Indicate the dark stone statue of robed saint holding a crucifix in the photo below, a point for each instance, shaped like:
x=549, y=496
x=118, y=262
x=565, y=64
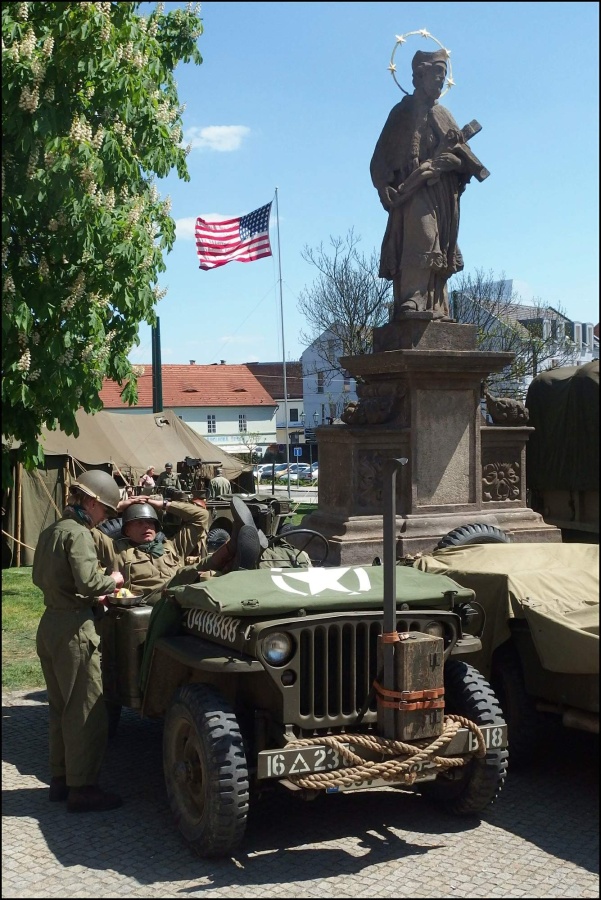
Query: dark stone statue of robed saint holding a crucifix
x=420, y=167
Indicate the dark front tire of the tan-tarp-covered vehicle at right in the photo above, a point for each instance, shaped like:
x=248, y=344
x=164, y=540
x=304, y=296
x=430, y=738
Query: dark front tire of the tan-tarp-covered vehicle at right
x=525, y=726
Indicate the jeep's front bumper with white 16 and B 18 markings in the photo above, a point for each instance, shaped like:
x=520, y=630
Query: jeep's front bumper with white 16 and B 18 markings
x=321, y=758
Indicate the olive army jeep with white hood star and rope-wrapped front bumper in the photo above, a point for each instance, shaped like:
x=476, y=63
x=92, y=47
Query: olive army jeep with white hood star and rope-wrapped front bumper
x=315, y=680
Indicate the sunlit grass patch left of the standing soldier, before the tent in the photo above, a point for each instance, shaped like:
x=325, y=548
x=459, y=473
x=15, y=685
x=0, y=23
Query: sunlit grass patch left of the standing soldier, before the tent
x=22, y=608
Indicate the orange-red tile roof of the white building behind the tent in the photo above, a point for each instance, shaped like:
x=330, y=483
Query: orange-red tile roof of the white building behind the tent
x=192, y=385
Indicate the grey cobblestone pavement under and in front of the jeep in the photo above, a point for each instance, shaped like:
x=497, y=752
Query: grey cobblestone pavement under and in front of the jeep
x=539, y=840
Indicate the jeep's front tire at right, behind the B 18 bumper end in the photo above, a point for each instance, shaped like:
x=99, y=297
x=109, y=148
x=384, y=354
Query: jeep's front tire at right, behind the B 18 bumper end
x=468, y=790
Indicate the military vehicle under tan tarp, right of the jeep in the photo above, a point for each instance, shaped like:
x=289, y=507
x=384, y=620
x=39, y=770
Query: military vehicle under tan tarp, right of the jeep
x=540, y=630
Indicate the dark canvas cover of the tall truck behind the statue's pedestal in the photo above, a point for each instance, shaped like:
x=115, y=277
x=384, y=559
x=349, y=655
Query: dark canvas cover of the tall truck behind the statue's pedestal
x=563, y=452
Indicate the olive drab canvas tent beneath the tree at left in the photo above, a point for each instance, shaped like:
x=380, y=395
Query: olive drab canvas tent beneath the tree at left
x=129, y=442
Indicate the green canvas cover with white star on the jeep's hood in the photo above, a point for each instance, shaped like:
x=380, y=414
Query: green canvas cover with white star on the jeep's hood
x=268, y=592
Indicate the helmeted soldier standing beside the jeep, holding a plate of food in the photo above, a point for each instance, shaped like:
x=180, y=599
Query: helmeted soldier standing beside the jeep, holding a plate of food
x=66, y=569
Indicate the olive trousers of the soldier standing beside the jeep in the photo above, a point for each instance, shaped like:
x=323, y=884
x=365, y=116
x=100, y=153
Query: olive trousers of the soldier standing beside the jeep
x=68, y=646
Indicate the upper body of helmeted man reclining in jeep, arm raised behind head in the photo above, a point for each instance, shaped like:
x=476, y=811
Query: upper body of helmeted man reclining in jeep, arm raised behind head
x=145, y=557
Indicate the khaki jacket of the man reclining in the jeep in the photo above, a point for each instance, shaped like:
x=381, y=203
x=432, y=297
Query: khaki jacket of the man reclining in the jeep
x=141, y=570
